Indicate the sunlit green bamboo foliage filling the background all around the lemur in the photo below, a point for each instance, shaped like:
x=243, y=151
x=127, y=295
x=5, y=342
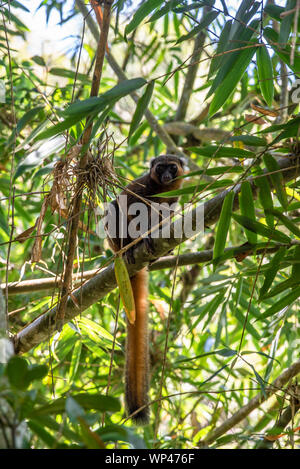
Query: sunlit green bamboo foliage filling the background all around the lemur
x=233, y=324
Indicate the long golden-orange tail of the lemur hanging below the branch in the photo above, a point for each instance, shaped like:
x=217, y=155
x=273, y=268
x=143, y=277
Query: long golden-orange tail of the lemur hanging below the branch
x=137, y=352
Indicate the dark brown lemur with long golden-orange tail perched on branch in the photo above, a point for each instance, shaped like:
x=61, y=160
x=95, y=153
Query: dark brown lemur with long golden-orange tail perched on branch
x=164, y=171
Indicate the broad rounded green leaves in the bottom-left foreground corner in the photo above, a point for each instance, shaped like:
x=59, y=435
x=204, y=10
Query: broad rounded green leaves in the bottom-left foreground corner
x=79, y=410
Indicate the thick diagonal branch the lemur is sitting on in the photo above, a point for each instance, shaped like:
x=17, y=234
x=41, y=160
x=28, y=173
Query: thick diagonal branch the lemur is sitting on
x=95, y=289
